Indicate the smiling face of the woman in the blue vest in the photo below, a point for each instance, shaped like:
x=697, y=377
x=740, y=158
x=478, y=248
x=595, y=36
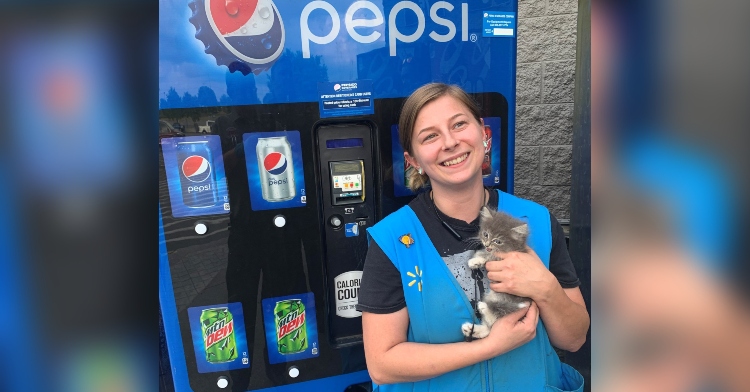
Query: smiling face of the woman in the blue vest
x=447, y=143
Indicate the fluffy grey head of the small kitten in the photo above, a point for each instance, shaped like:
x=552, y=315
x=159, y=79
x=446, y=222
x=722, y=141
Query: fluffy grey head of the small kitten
x=500, y=232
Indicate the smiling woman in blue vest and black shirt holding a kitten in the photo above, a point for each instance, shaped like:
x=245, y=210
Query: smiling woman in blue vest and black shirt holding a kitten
x=414, y=303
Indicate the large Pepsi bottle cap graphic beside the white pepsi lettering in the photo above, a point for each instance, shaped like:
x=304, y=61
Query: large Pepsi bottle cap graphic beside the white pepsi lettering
x=245, y=35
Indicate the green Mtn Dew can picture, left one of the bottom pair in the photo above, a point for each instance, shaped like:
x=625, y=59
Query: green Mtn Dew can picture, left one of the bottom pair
x=218, y=335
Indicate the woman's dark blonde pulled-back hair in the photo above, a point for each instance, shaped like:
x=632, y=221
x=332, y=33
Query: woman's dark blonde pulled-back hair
x=409, y=112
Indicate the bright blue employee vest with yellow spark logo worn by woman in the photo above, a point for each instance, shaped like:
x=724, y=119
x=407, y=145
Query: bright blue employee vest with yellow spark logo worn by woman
x=437, y=307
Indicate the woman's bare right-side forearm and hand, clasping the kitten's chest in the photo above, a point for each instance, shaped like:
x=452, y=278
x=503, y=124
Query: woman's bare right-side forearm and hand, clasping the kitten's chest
x=562, y=310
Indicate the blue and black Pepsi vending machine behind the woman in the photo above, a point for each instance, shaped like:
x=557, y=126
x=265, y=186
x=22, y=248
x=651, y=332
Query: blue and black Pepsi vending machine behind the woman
x=263, y=213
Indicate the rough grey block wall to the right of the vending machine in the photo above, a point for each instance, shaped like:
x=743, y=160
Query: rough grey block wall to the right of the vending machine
x=544, y=102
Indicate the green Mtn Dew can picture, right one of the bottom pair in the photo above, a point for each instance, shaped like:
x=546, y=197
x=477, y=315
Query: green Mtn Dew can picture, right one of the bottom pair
x=291, y=326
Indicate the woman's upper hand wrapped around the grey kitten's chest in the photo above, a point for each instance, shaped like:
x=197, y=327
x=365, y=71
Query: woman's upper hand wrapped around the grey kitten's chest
x=521, y=274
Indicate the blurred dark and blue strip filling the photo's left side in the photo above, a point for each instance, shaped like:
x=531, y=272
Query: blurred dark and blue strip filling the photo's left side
x=78, y=103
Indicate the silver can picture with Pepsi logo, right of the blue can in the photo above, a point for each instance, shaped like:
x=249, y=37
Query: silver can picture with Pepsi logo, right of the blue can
x=275, y=168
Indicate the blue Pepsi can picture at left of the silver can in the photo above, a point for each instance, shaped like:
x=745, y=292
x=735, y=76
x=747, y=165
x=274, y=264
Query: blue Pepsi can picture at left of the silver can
x=197, y=178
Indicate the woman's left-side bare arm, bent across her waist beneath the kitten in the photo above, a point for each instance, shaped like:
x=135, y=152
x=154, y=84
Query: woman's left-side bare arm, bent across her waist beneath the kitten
x=391, y=359
